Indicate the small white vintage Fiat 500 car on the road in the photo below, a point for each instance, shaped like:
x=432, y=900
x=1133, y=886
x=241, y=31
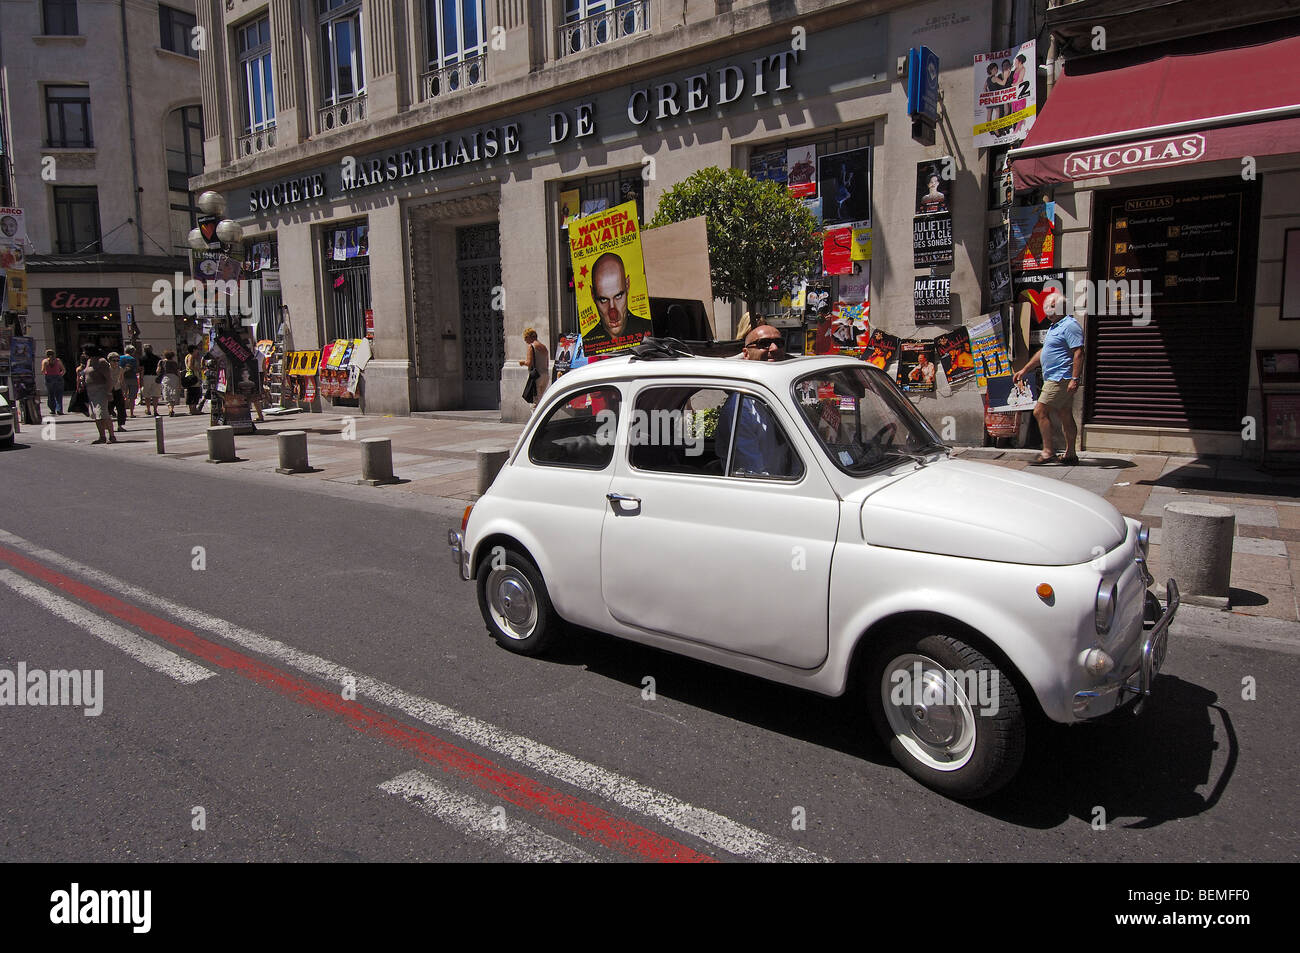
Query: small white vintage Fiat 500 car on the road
x=801, y=522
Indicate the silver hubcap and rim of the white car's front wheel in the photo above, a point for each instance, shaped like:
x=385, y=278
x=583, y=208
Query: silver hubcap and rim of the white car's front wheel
x=929, y=712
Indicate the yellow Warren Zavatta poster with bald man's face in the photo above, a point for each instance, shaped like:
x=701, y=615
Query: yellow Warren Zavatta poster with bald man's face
x=610, y=281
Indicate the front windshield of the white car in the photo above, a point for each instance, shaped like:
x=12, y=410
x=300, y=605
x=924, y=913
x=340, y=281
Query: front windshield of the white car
x=861, y=421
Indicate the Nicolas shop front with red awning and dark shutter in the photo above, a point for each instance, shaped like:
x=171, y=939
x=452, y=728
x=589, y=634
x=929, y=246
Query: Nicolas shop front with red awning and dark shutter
x=1177, y=205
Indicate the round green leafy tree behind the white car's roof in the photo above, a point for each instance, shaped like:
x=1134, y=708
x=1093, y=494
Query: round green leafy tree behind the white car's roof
x=760, y=236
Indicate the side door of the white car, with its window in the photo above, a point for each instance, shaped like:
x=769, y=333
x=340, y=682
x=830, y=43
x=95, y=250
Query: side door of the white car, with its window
x=708, y=551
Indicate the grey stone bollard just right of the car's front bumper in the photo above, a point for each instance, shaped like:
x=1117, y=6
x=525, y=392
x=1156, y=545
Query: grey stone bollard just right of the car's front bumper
x=1197, y=540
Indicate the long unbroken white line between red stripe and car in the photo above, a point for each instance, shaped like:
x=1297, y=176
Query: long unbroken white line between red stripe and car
x=700, y=822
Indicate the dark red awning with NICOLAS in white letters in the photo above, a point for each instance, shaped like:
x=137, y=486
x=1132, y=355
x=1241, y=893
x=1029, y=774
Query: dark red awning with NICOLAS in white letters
x=1175, y=110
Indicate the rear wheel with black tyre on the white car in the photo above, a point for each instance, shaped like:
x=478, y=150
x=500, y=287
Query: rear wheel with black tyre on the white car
x=515, y=604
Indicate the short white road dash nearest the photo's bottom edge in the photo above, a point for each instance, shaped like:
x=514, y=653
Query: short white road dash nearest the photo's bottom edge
x=475, y=818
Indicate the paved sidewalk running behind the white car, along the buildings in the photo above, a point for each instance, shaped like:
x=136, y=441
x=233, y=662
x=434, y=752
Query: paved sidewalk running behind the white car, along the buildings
x=435, y=458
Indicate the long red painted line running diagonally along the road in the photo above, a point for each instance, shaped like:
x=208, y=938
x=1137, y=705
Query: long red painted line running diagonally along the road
x=579, y=817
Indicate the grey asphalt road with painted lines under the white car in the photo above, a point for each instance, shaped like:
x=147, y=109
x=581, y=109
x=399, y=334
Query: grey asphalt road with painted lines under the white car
x=453, y=750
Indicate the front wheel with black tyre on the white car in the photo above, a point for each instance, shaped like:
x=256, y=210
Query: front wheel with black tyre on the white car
x=951, y=717
